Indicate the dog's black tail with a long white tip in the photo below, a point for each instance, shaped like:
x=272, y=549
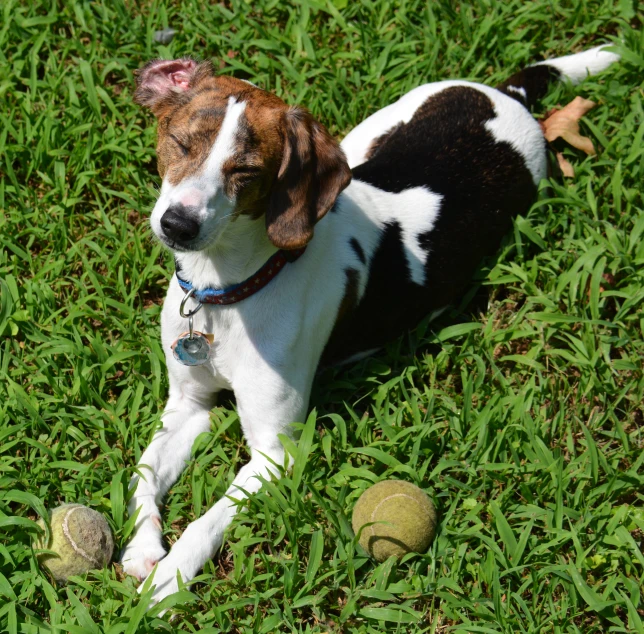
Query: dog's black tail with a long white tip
x=531, y=84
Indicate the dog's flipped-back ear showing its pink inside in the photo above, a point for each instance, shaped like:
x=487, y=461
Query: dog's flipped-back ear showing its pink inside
x=160, y=81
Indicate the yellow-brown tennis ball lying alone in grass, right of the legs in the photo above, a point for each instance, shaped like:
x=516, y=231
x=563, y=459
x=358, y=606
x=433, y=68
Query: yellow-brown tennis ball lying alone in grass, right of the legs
x=405, y=516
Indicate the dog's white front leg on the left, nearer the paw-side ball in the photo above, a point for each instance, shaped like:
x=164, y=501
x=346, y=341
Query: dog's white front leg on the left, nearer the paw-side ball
x=184, y=418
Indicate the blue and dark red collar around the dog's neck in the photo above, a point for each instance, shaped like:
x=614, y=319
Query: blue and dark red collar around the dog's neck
x=248, y=287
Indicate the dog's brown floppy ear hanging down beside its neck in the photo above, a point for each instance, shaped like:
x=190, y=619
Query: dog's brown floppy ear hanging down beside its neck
x=312, y=174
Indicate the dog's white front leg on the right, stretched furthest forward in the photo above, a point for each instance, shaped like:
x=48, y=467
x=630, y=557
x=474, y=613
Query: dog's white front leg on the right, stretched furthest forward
x=266, y=409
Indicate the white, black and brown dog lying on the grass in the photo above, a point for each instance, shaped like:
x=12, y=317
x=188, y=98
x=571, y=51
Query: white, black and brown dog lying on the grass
x=294, y=251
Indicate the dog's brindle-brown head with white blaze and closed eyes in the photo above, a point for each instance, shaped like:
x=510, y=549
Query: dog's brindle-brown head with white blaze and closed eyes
x=226, y=148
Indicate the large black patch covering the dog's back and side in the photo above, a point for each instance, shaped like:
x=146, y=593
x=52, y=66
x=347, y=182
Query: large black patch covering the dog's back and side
x=446, y=148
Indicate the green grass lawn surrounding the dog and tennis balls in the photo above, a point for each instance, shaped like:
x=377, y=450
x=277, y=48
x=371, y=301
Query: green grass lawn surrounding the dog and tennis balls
x=522, y=420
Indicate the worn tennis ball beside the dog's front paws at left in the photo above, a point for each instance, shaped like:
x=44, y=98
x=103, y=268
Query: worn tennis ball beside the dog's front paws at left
x=81, y=539
